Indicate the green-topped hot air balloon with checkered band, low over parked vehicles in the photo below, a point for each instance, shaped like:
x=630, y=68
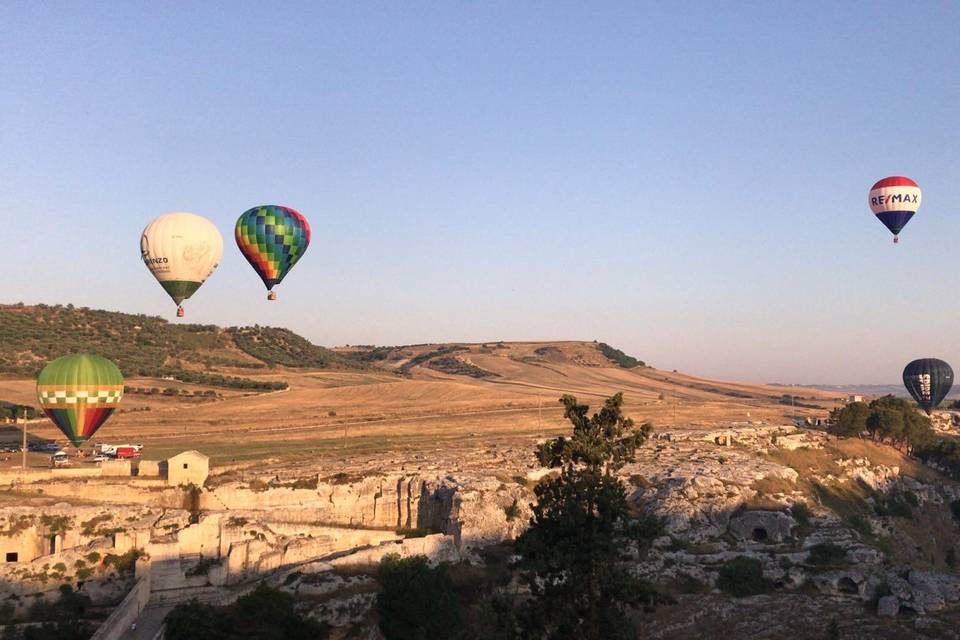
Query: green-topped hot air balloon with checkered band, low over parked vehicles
x=79, y=392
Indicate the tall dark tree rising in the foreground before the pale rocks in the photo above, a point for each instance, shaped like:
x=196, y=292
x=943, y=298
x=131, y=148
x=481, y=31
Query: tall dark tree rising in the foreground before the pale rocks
x=573, y=551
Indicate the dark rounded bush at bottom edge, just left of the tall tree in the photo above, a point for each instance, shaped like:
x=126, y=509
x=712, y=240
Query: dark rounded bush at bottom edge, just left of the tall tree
x=417, y=601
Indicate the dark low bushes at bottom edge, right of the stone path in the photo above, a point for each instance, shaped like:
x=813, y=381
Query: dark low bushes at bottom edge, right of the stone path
x=263, y=614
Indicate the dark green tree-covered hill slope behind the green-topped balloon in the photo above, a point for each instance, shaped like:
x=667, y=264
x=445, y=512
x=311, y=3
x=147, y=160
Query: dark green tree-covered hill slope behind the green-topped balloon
x=31, y=336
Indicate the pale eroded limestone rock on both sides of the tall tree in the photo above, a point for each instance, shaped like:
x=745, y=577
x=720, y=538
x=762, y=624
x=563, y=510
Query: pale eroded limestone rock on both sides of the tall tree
x=707, y=494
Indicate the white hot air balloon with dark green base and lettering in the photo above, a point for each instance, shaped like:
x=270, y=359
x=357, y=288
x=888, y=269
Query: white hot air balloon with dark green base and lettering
x=181, y=250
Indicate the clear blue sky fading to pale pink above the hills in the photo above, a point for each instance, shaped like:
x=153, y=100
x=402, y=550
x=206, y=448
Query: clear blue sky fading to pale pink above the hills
x=684, y=181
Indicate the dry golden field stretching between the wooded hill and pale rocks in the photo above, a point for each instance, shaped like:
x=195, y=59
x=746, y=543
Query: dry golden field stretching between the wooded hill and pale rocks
x=341, y=412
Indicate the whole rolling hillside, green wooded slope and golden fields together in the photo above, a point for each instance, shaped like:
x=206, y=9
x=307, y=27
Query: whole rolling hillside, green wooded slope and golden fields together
x=255, y=392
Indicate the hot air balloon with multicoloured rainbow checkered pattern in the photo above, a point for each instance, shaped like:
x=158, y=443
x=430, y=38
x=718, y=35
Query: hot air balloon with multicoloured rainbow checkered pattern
x=272, y=239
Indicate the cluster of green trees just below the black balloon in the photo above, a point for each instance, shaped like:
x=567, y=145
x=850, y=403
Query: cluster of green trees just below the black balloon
x=887, y=419
